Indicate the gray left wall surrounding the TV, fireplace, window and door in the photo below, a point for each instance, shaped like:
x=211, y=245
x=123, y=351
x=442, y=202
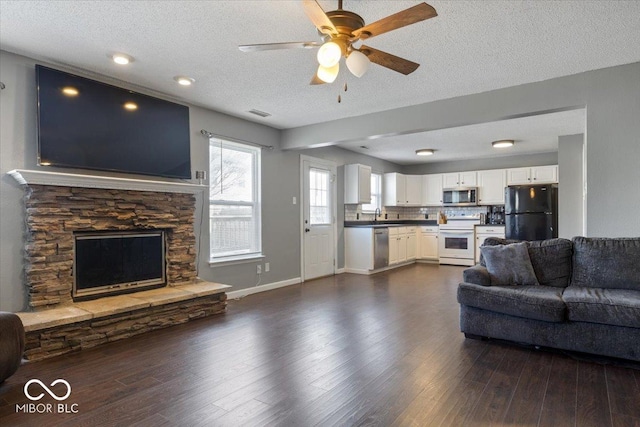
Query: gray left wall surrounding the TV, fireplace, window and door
x=280, y=183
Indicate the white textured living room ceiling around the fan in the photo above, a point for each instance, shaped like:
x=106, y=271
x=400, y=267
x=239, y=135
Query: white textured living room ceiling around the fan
x=471, y=47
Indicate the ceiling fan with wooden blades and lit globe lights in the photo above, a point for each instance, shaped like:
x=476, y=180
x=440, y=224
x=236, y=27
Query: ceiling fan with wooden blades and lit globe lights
x=340, y=29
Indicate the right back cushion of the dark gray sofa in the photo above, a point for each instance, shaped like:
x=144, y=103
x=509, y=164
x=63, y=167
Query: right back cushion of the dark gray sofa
x=612, y=263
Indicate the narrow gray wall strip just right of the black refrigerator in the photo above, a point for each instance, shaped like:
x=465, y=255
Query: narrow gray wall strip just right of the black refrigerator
x=571, y=185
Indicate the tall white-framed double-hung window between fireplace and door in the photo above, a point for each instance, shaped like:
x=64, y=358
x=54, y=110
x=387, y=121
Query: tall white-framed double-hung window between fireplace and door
x=234, y=200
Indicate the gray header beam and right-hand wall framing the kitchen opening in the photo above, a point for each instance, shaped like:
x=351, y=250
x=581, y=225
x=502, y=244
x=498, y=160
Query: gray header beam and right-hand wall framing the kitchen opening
x=612, y=98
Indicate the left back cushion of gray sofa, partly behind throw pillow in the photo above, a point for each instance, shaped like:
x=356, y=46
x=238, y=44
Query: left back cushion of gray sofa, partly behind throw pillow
x=551, y=259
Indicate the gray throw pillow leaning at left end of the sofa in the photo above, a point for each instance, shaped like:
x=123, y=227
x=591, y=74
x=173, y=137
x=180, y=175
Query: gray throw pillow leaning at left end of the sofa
x=509, y=264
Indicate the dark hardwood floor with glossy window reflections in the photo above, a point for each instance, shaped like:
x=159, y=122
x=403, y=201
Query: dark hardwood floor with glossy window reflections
x=346, y=350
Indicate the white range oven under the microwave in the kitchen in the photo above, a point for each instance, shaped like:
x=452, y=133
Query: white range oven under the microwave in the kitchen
x=456, y=241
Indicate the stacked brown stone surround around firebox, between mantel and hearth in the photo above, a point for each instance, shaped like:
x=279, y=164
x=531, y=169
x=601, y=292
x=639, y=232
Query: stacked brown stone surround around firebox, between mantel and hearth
x=54, y=213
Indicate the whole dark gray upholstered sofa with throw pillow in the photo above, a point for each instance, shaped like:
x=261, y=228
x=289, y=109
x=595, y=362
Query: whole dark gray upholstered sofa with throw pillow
x=585, y=295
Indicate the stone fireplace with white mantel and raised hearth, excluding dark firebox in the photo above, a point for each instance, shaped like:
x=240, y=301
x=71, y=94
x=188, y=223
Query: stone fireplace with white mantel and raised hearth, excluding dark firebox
x=59, y=208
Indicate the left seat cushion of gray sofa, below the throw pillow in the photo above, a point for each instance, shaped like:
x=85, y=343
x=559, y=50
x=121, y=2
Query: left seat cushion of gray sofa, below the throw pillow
x=531, y=302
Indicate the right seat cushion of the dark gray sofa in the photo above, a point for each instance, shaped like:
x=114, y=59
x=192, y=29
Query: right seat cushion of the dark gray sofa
x=619, y=307
